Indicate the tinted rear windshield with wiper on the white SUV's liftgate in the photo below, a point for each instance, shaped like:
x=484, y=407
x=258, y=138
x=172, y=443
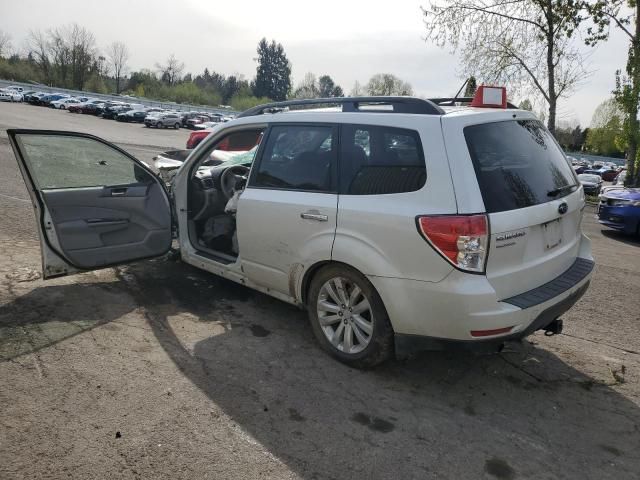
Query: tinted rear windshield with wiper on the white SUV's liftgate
x=518, y=164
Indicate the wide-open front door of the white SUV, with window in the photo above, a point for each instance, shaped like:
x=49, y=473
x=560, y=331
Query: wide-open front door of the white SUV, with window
x=96, y=205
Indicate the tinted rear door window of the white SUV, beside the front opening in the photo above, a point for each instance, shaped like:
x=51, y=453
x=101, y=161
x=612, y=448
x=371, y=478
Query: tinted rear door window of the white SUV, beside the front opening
x=298, y=157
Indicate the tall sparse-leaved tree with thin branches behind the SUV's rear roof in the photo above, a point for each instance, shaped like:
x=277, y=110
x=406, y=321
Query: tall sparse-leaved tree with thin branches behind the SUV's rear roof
x=526, y=43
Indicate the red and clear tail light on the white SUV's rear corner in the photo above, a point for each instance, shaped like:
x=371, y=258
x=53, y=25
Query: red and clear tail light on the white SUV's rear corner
x=460, y=239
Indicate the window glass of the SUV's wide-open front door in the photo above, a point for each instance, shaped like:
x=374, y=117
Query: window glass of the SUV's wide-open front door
x=60, y=161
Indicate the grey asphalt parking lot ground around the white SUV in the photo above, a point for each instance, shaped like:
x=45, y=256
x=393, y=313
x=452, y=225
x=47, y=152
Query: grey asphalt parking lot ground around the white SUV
x=159, y=370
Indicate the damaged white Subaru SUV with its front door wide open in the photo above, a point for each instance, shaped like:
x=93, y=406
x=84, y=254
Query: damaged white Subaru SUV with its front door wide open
x=399, y=223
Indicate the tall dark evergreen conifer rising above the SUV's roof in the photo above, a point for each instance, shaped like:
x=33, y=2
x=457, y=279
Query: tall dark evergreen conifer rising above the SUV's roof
x=273, y=73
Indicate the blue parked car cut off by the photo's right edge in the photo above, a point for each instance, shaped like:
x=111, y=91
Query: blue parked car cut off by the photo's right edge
x=620, y=209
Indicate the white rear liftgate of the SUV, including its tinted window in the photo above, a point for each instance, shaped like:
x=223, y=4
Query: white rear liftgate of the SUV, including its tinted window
x=512, y=169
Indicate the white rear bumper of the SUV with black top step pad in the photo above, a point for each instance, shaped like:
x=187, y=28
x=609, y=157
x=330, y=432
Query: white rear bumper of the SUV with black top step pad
x=434, y=315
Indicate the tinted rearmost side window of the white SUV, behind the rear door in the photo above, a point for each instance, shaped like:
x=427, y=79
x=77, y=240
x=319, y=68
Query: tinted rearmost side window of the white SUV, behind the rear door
x=380, y=160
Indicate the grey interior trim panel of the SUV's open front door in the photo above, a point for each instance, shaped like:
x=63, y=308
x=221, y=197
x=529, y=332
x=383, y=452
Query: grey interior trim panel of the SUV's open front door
x=106, y=225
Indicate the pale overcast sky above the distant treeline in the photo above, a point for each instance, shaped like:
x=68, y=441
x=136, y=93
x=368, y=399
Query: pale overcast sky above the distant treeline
x=349, y=40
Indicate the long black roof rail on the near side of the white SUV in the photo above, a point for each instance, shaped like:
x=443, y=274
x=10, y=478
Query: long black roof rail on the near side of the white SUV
x=353, y=104
